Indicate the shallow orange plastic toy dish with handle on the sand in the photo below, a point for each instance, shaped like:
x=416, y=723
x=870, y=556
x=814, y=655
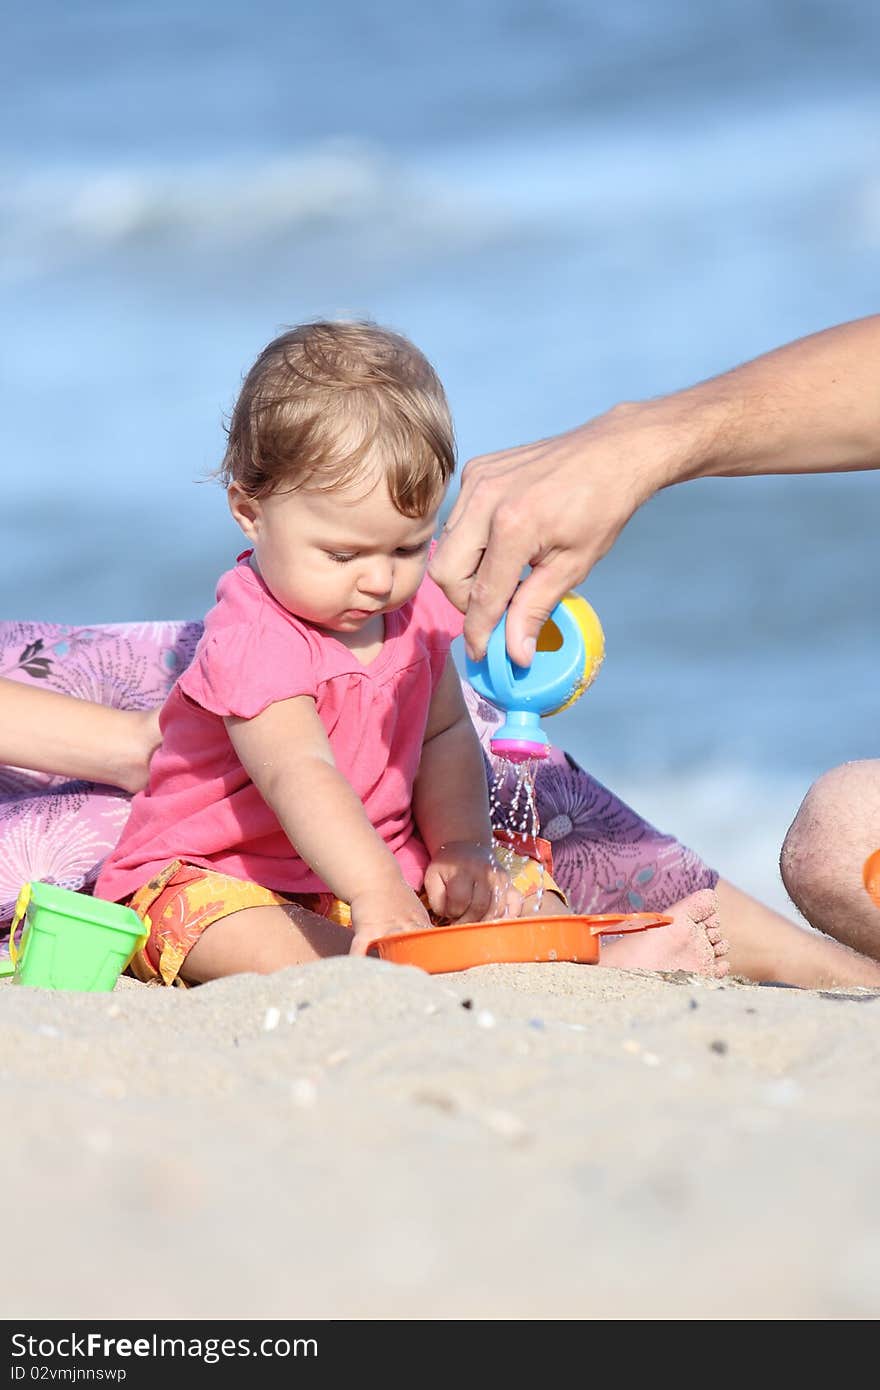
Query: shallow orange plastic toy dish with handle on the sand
x=511, y=942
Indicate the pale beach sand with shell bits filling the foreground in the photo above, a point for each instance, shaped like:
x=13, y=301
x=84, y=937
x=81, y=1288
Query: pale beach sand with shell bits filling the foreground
x=357, y=1139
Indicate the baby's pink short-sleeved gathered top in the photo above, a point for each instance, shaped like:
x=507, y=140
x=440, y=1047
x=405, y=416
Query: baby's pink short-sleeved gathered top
x=202, y=806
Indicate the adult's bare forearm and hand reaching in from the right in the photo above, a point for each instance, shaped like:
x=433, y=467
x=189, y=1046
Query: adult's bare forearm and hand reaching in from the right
x=558, y=505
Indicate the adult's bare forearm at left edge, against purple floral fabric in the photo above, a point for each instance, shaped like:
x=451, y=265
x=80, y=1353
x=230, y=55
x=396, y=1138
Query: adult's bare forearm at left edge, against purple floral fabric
x=54, y=733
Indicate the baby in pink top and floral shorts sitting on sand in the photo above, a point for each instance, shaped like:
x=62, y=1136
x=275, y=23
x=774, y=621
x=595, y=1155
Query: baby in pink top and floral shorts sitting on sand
x=320, y=783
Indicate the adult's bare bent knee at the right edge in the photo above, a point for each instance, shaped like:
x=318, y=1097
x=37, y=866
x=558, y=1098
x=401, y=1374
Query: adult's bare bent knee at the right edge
x=835, y=831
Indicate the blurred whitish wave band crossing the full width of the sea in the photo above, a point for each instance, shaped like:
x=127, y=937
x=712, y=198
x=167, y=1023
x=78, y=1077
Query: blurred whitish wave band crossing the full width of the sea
x=585, y=179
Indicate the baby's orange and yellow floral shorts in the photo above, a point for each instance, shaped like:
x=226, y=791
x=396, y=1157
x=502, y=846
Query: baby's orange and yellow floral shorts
x=183, y=900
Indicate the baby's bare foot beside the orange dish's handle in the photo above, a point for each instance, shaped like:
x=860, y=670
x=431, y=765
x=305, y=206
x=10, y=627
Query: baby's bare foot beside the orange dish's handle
x=692, y=942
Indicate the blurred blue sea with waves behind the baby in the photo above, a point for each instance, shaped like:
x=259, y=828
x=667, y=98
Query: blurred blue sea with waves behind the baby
x=565, y=204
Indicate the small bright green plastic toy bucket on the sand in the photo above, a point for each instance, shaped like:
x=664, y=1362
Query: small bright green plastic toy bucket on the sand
x=72, y=942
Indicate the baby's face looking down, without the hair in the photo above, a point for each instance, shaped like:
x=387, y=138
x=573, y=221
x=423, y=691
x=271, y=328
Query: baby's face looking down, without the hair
x=337, y=558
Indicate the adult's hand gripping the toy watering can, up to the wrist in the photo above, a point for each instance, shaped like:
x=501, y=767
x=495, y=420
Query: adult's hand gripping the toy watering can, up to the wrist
x=558, y=507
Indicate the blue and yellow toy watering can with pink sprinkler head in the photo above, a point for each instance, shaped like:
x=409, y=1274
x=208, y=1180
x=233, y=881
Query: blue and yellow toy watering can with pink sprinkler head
x=569, y=654
